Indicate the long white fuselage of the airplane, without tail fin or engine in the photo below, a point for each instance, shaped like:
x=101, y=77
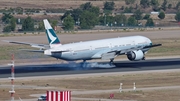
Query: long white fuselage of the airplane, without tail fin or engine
x=94, y=49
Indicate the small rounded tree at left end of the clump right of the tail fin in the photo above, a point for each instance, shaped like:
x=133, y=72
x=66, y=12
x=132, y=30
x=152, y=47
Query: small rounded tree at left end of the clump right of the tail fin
x=68, y=23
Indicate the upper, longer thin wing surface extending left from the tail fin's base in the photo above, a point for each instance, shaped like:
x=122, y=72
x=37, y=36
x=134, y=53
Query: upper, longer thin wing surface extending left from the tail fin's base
x=40, y=46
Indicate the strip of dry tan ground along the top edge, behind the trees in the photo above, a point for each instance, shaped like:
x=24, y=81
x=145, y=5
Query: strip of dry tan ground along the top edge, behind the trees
x=65, y=3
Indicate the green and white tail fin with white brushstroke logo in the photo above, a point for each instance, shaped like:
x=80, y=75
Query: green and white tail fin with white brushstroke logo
x=51, y=35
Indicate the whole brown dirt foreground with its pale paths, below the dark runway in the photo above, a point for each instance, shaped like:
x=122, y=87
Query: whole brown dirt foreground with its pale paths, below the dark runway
x=151, y=86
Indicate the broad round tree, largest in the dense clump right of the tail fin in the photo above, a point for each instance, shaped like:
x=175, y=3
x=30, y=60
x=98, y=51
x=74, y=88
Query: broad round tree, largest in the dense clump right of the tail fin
x=88, y=20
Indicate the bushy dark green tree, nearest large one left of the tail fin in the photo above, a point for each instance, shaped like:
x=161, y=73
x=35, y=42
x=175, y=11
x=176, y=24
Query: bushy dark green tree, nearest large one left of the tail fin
x=28, y=24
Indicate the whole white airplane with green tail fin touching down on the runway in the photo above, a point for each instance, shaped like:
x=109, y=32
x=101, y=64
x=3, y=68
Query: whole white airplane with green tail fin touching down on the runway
x=135, y=47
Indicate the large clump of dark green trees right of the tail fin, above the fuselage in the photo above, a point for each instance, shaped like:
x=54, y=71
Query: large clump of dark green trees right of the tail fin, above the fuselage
x=87, y=16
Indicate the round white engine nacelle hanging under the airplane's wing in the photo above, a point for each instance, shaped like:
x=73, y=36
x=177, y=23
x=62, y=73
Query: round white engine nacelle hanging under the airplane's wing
x=135, y=55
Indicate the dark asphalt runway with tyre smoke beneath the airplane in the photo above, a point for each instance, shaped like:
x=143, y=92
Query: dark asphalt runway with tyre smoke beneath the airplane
x=75, y=68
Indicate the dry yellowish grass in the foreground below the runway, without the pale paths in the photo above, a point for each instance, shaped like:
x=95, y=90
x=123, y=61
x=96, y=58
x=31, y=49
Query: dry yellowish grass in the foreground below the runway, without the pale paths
x=105, y=82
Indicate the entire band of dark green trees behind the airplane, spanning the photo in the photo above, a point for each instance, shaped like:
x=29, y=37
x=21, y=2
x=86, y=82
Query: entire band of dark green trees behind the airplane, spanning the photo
x=86, y=16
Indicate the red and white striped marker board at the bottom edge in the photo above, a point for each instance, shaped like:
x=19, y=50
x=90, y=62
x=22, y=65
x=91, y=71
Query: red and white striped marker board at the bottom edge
x=58, y=95
